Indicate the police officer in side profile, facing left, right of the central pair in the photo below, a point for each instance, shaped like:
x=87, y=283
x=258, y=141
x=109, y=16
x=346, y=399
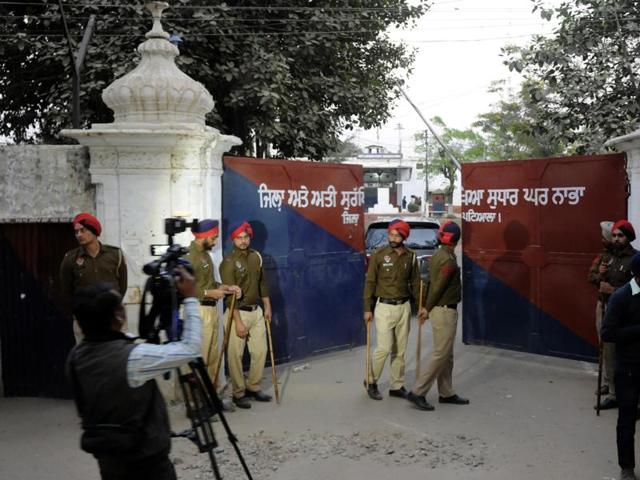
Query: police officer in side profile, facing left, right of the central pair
x=444, y=293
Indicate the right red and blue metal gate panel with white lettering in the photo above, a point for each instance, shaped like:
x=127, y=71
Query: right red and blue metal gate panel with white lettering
x=530, y=232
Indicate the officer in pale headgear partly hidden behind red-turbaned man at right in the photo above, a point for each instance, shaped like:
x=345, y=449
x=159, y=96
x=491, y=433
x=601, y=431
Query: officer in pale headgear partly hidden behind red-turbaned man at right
x=597, y=274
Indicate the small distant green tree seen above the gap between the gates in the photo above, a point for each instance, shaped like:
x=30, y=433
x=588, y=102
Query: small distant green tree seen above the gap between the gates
x=466, y=145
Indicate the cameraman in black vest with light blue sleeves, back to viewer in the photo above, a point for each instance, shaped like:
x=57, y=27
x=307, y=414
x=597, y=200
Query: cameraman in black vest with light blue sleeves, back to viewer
x=124, y=417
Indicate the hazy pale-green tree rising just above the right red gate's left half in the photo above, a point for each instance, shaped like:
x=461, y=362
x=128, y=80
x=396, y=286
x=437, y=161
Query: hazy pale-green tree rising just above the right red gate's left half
x=511, y=129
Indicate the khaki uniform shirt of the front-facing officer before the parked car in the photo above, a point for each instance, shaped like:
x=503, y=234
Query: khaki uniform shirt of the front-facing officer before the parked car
x=392, y=276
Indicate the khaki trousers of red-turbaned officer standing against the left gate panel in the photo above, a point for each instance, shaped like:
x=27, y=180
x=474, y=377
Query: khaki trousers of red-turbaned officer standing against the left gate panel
x=257, y=343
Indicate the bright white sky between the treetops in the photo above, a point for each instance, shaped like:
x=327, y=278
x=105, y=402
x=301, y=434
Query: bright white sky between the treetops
x=458, y=46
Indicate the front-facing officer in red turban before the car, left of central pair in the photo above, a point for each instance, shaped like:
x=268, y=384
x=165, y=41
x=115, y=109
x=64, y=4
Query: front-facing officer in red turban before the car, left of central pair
x=393, y=277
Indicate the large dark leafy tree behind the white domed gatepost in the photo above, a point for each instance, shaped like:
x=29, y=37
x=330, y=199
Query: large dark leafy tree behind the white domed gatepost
x=293, y=76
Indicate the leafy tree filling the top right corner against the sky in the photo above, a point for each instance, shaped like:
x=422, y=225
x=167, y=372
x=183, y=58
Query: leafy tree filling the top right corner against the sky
x=583, y=78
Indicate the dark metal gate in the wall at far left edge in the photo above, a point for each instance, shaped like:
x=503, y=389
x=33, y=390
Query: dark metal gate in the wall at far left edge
x=35, y=336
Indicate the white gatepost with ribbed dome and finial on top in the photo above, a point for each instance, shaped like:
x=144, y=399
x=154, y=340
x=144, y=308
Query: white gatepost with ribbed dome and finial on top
x=157, y=158
